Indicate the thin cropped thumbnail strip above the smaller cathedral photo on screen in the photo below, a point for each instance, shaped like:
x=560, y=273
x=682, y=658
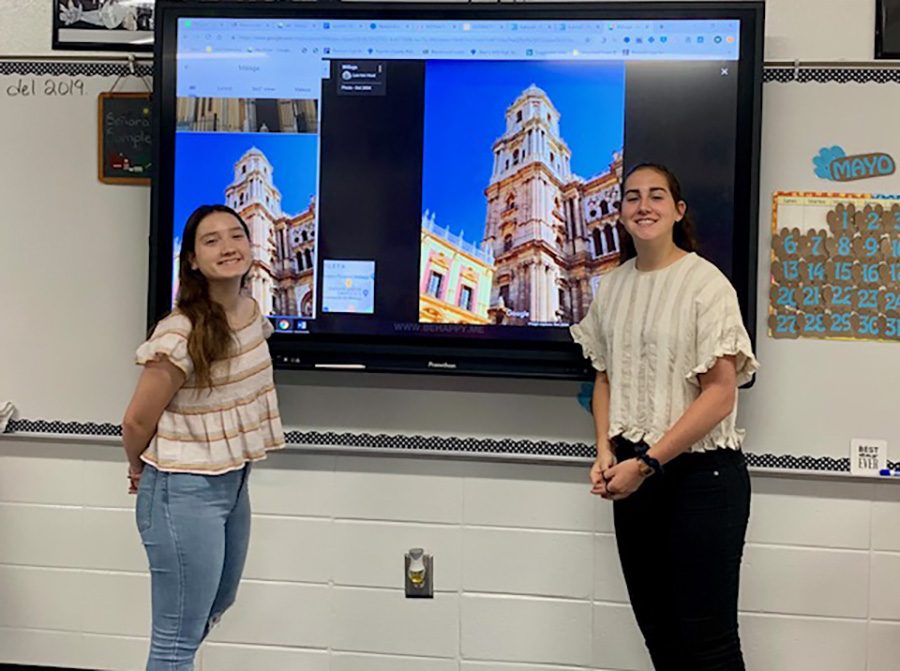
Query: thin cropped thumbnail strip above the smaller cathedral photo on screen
x=247, y=115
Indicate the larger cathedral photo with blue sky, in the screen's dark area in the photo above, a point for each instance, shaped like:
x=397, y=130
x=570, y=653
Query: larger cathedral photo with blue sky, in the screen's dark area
x=529, y=244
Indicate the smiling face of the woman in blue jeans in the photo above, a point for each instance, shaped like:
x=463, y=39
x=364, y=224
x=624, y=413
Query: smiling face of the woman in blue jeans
x=221, y=248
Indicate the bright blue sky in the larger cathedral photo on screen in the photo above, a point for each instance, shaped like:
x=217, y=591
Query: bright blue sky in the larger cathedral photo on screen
x=465, y=113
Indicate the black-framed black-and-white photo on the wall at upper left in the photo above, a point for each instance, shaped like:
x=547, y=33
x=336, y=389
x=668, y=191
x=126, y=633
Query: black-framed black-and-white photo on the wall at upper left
x=103, y=25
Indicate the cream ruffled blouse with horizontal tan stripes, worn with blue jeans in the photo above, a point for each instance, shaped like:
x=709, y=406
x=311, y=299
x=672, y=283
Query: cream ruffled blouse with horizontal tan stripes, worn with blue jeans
x=213, y=431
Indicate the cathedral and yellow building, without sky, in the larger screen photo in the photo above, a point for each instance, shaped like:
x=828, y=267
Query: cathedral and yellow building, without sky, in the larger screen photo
x=548, y=236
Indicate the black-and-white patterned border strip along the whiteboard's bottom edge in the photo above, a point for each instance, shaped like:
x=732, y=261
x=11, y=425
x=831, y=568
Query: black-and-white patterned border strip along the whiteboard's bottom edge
x=437, y=445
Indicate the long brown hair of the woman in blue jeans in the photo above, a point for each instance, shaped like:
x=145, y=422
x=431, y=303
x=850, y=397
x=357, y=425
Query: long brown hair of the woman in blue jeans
x=211, y=336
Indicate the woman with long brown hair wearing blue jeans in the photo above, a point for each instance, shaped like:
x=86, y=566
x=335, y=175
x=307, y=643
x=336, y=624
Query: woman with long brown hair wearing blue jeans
x=203, y=410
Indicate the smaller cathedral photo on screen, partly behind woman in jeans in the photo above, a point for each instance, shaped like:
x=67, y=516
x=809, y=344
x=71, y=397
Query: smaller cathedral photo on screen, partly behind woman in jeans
x=270, y=180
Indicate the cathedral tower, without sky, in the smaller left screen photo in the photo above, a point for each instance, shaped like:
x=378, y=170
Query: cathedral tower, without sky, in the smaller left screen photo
x=282, y=276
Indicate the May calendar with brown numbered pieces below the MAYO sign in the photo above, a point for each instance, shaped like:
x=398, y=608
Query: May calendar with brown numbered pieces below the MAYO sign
x=835, y=267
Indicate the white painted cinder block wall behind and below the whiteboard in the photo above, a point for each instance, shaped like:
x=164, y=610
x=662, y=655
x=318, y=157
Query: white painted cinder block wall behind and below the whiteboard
x=526, y=573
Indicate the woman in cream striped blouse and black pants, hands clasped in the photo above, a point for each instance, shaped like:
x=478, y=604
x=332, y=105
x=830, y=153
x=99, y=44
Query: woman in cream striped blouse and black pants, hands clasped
x=666, y=338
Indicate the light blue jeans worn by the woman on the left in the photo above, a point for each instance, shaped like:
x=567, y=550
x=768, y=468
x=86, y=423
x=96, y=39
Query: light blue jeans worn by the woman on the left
x=195, y=529
